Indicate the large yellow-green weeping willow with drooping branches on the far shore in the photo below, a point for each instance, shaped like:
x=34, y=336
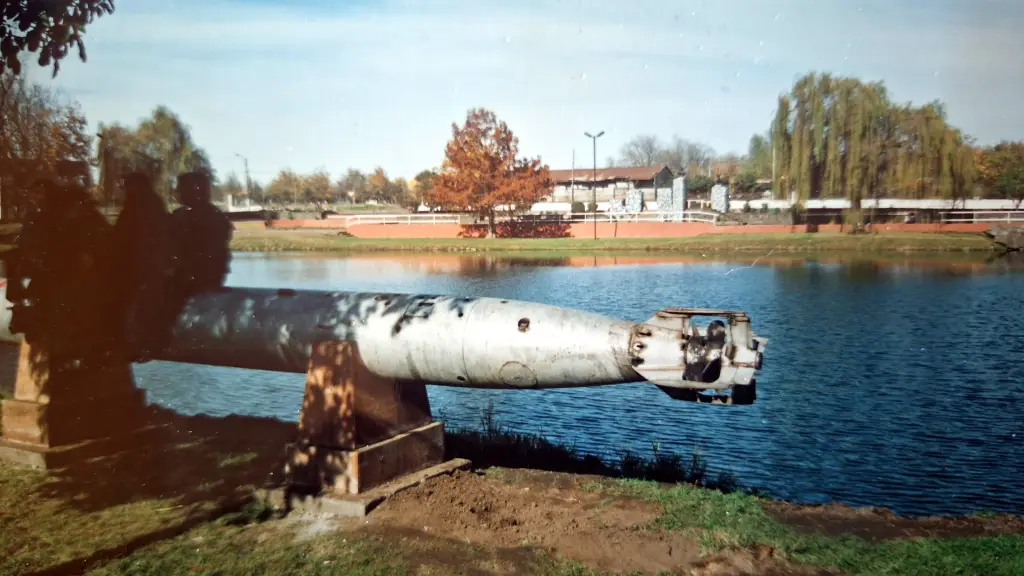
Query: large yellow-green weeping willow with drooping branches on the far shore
x=841, y=138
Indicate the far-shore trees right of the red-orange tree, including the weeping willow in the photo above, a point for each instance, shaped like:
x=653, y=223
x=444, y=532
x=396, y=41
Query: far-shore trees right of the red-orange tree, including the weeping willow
x=842, y=138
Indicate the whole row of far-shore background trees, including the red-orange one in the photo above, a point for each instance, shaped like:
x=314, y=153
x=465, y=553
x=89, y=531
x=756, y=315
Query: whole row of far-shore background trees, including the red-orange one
x=831, y=138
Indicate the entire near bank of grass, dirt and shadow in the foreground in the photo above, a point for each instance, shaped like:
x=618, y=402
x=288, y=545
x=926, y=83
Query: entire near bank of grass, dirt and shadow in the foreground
x=175, y=506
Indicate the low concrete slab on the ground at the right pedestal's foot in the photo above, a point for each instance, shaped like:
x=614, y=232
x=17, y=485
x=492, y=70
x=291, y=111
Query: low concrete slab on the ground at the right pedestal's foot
x=354, y=506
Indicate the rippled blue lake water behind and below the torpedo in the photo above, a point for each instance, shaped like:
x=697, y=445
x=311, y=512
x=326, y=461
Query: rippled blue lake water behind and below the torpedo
x=890, y=385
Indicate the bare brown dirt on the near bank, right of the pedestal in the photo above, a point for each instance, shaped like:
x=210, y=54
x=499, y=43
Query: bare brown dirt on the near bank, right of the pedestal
x=472, y=523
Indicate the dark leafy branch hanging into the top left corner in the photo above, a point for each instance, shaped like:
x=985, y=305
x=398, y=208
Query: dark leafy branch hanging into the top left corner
x=51, y=28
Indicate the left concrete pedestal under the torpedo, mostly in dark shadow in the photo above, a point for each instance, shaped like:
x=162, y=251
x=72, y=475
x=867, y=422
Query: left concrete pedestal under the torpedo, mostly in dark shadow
x=55, y=415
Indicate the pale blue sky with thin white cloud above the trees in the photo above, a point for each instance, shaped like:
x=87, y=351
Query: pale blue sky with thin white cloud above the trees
x=338, y=85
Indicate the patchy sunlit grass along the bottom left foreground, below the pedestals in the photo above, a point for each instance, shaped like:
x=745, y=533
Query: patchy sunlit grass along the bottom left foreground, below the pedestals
x=42, y=534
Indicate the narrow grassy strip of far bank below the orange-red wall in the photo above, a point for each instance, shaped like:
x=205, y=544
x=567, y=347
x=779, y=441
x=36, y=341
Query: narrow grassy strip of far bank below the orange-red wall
x=306, y=241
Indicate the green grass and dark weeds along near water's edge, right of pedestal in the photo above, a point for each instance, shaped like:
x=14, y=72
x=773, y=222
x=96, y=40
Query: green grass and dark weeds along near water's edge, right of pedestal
x=723, y=517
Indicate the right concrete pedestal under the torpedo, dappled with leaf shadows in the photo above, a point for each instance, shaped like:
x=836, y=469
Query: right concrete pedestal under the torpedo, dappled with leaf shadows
x=360, y=432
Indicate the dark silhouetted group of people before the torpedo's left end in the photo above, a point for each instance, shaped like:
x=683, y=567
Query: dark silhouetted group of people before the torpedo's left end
x=72, y=273
